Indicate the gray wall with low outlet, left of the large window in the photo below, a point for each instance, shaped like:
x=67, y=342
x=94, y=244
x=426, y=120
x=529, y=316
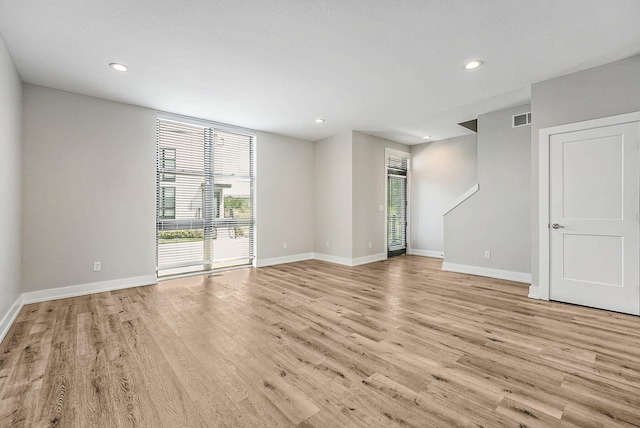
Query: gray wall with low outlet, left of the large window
x=89, y=189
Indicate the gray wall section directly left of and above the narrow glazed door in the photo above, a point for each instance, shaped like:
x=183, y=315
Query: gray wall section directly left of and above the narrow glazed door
x=369, y=182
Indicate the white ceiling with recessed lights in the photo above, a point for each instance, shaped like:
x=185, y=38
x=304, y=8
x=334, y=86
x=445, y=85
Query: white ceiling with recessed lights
x=392, y=68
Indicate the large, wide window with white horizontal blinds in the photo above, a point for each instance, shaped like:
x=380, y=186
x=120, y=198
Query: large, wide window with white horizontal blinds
x=204, y=198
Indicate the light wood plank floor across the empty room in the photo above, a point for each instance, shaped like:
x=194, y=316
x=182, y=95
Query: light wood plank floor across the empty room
x=312, y=344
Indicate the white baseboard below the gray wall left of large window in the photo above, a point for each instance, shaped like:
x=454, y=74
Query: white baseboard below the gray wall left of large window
x=91, y=288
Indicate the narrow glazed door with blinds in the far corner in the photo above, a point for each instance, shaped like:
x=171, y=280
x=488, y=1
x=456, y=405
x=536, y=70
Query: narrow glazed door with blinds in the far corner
x=397, y=169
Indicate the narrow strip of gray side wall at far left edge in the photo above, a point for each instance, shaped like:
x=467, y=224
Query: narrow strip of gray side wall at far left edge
x=10, y=180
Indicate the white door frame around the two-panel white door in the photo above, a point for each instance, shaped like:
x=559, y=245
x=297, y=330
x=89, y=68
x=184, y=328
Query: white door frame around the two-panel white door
x=544, y=249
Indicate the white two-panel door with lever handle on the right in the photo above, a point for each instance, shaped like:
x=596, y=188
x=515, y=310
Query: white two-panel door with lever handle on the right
x=594, y=217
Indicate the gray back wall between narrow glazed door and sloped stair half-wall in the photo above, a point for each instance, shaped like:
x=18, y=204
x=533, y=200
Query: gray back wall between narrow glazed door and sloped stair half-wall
x=441, y=171
